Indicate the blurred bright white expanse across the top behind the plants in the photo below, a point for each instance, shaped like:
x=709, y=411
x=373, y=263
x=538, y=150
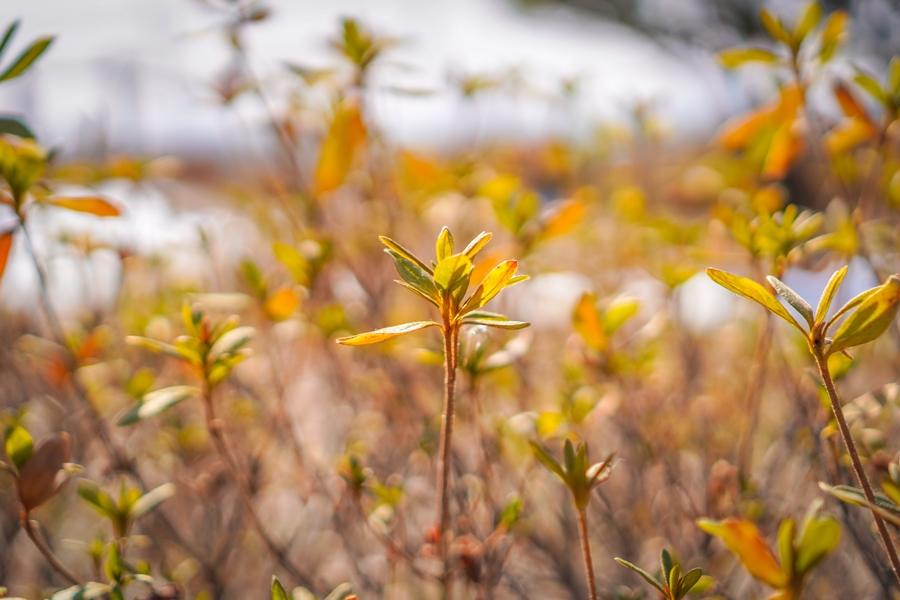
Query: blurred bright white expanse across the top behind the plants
x=137, y=73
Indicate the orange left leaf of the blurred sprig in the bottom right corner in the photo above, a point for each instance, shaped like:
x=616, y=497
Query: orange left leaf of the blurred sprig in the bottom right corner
x=745, y=540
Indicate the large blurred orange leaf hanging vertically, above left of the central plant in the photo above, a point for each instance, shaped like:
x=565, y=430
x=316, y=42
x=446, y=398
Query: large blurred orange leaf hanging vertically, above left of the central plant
x=345, y=136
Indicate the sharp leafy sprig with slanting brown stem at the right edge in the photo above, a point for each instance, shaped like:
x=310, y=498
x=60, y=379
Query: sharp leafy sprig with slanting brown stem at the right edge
x=862, y=320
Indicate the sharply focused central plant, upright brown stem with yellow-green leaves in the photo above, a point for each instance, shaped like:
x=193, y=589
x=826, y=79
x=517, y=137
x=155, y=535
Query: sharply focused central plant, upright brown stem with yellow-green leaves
x=444, y=285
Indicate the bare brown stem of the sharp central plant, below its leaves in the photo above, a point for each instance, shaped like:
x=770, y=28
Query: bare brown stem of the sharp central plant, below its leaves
x=451, y=357
